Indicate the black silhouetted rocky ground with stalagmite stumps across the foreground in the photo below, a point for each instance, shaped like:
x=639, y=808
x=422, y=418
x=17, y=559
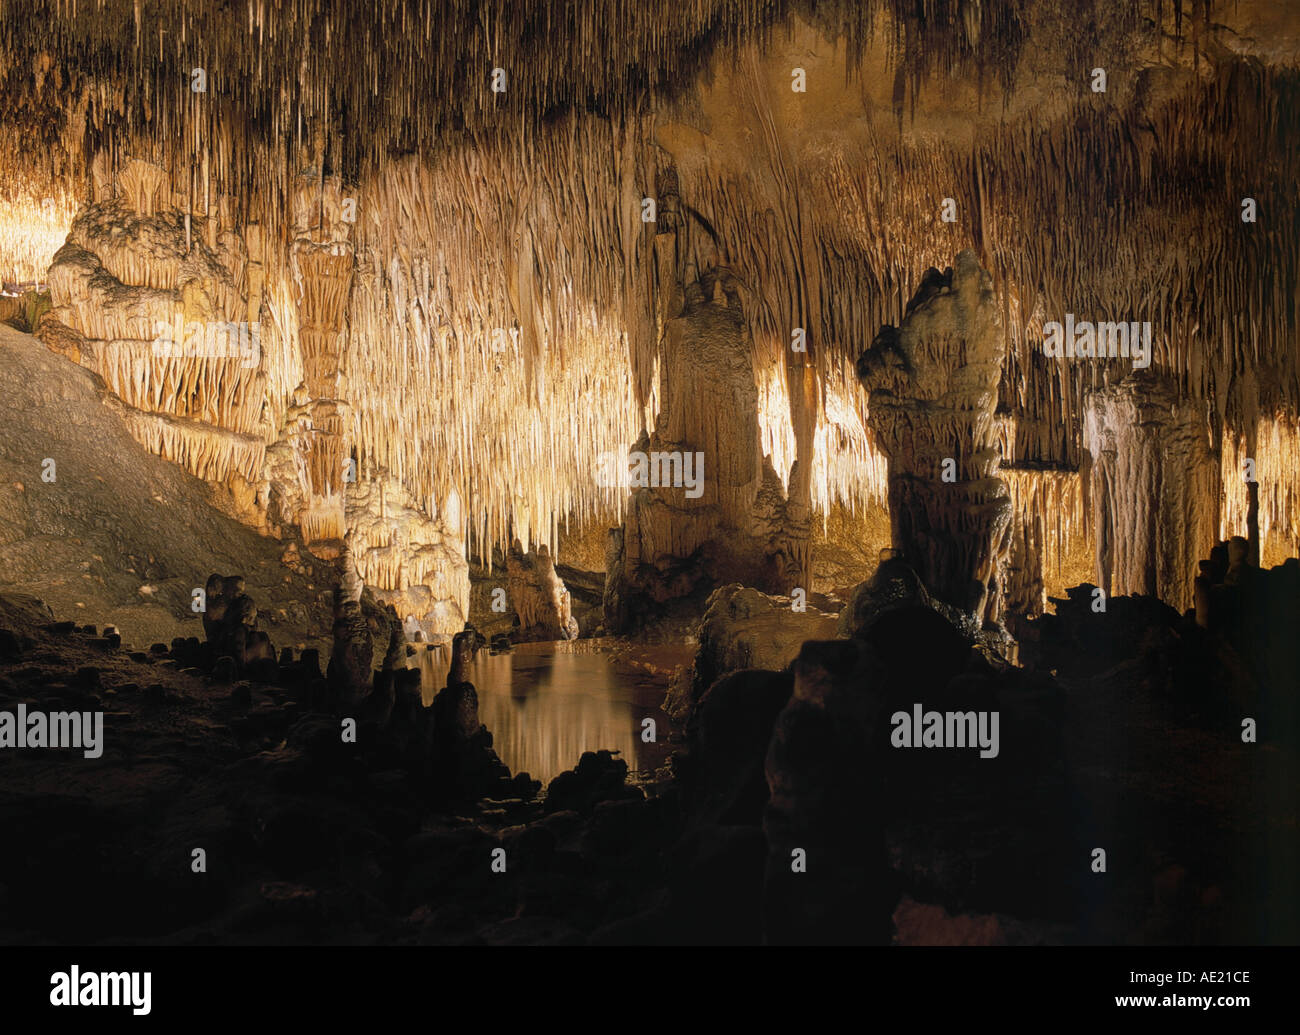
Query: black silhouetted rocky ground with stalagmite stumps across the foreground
x=792, y=819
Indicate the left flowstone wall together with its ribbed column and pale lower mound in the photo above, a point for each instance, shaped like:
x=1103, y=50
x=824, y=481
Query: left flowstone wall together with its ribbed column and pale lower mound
x=246, y=391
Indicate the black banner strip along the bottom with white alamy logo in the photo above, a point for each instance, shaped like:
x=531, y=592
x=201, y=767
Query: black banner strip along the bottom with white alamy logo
x=80, y=986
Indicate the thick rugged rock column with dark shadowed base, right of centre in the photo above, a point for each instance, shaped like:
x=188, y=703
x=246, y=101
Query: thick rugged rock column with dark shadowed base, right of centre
x=933, y=388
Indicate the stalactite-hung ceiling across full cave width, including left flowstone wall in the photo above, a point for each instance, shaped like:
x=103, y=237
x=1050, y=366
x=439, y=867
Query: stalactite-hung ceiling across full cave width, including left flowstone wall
x=502, y=300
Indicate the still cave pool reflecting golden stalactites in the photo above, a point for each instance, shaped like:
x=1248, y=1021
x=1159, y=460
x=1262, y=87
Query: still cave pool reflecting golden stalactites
x=545, y=708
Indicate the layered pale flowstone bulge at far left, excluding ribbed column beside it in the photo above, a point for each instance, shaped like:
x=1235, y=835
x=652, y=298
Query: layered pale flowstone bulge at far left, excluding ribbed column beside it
x=164, y=309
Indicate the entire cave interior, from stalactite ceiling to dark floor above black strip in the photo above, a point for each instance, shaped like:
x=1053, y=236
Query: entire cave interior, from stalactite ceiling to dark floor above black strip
x=380, y=378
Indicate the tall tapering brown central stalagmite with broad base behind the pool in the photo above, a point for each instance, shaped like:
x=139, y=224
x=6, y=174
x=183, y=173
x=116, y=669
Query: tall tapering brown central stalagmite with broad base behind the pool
x=708, y=508
